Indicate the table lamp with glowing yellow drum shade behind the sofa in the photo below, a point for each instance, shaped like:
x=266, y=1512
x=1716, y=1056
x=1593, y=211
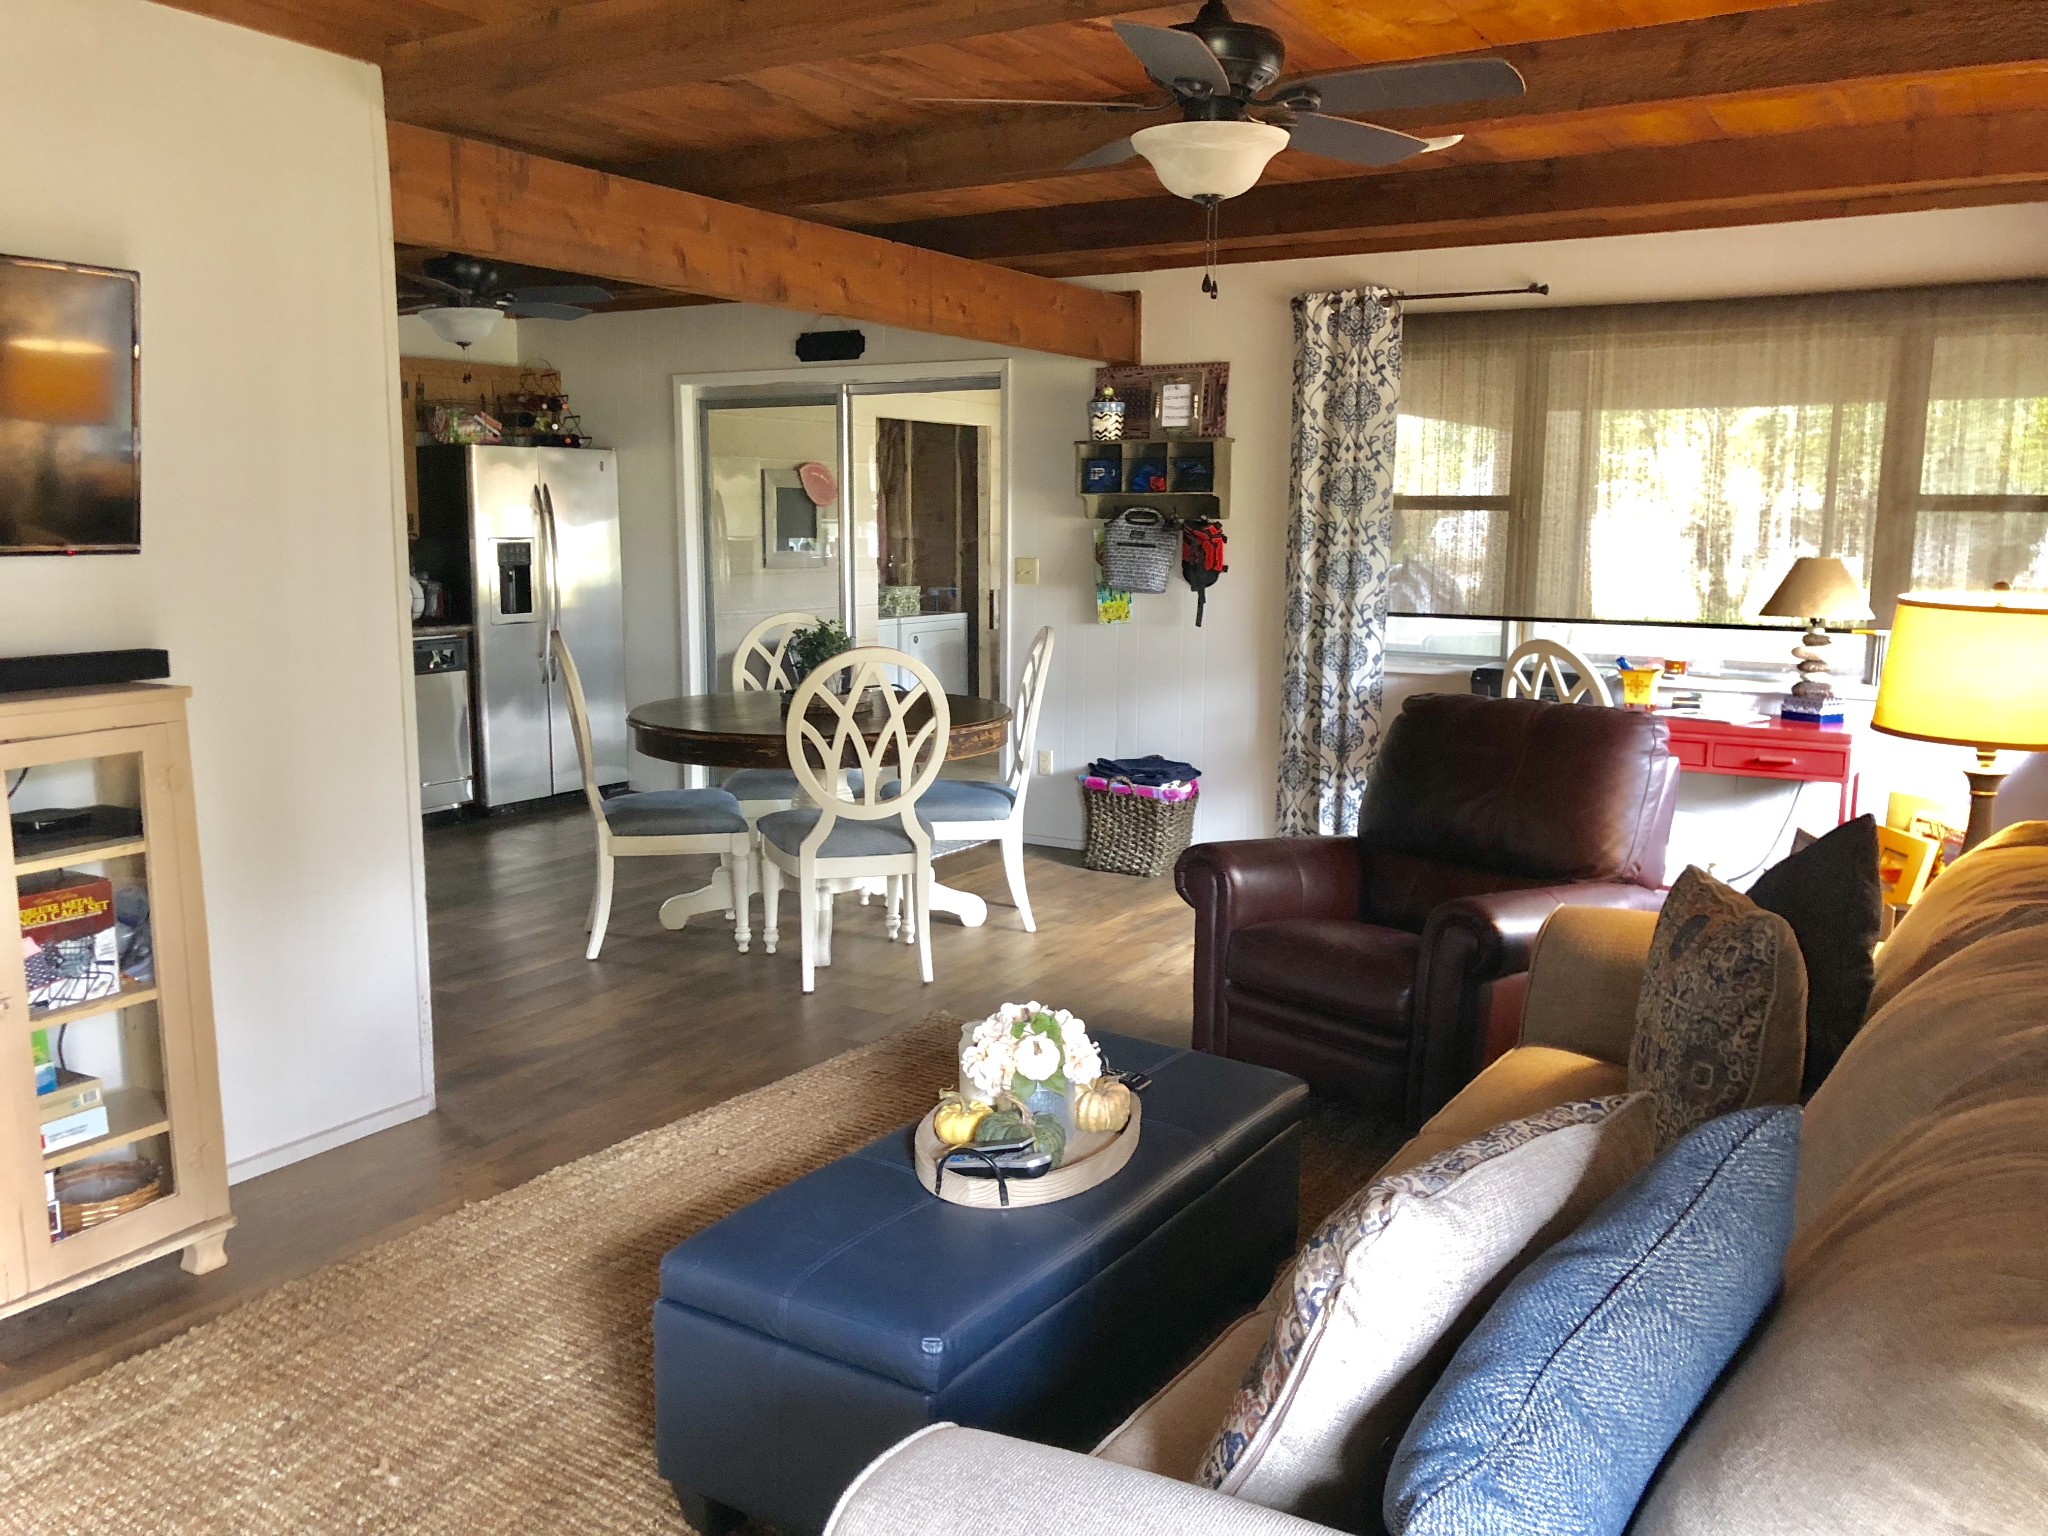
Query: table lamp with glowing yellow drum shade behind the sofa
x=1967, y=669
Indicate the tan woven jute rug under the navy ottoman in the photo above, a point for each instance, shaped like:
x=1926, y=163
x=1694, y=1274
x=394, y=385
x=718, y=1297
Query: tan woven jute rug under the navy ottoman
x=486, y=1373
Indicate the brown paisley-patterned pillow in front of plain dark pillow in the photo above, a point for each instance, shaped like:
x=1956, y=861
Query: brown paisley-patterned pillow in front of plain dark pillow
x=1721, y=1021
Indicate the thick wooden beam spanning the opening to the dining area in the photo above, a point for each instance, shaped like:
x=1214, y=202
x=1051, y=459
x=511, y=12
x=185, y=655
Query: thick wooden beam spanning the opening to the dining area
x=499, y=204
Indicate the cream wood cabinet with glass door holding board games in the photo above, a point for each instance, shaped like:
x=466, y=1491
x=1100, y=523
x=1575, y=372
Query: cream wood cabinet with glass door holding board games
x=140, y=1052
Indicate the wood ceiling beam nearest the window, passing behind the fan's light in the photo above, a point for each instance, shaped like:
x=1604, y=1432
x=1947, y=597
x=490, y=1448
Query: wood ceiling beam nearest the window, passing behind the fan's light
x=1727, y=181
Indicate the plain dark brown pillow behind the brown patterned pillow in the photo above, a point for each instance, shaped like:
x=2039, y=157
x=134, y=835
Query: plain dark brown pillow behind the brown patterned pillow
x=1832, y=896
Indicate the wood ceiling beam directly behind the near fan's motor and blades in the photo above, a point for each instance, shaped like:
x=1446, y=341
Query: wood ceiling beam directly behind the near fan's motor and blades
x=1811, y=46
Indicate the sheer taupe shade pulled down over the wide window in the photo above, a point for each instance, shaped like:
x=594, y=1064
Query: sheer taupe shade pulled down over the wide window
x=1666, y=464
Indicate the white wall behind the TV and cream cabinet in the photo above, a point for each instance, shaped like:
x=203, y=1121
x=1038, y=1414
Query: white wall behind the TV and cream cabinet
x=247, y=181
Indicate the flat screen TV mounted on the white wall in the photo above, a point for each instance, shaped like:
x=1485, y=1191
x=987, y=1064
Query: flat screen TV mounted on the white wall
x=71, y=454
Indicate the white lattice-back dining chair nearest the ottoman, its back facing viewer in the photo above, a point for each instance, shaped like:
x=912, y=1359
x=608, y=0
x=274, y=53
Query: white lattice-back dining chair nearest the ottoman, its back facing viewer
x=855, y=830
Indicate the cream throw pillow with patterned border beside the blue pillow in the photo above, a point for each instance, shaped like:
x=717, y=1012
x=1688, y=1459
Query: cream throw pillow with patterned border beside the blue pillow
x=1388, y=1287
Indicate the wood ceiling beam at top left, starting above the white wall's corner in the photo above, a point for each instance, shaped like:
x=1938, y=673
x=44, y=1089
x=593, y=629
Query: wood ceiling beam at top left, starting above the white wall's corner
x=605, y=48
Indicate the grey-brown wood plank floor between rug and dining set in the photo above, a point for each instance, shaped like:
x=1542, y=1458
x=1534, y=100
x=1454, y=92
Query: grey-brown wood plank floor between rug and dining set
x=544, y=1056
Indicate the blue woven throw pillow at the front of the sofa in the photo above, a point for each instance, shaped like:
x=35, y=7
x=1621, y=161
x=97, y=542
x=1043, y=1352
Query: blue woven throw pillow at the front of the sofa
x=1562, y=1404
